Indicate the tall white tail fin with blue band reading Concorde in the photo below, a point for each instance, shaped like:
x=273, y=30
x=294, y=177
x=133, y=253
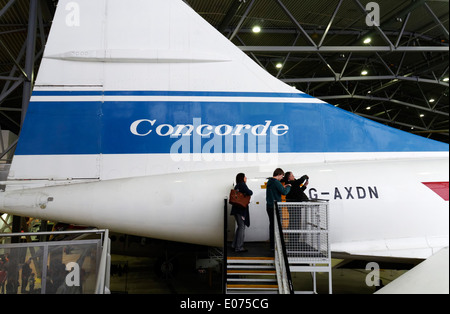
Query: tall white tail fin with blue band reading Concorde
x=124, y=79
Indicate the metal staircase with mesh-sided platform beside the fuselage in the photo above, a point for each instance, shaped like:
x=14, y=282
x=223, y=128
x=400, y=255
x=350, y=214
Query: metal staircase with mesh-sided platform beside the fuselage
x=301, y=245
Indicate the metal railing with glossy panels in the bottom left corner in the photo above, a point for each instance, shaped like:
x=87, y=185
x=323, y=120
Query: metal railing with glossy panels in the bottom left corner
x=77, y=264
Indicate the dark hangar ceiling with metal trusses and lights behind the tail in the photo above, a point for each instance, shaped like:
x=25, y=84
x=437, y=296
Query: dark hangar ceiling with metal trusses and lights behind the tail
x=399, y=78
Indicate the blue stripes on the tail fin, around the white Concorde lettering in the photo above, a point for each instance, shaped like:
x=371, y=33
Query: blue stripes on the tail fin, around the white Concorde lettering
x=95, y=127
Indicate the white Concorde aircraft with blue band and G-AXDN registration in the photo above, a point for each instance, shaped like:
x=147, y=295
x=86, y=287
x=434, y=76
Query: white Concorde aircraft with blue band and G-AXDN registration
x=142, y=114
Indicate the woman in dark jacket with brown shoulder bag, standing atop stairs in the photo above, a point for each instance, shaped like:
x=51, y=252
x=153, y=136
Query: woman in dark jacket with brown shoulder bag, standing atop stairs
x=241, y=214
